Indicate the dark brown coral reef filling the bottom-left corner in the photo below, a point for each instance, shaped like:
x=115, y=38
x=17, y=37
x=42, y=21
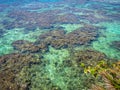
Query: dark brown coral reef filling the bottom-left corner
x=11, y=65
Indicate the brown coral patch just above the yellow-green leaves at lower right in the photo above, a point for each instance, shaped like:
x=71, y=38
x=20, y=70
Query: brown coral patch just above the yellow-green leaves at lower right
x=87, y=57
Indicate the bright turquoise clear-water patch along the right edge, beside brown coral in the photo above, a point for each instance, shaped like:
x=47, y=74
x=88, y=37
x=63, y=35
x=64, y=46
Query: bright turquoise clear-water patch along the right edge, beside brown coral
x=112, y=33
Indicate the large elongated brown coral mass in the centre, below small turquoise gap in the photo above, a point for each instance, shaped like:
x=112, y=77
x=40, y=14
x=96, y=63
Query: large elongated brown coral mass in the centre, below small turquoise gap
x=59, y=39
